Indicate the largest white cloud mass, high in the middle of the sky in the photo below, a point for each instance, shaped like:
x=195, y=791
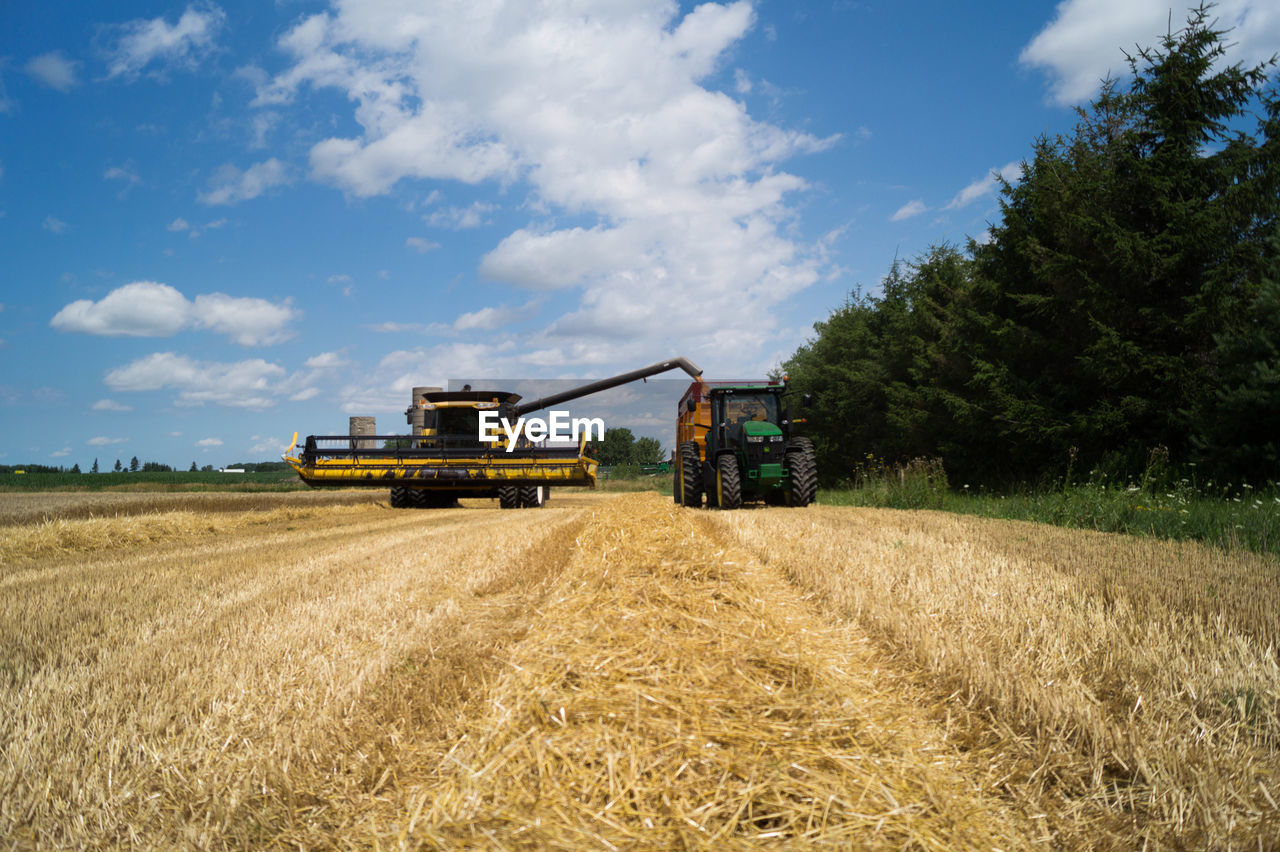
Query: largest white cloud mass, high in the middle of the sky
x=675, y=190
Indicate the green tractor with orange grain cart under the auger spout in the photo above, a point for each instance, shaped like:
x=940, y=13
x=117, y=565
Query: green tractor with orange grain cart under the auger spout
x=737, y=445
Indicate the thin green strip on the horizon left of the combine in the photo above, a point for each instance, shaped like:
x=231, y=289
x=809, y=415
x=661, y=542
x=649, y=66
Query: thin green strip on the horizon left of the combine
x=153, y=482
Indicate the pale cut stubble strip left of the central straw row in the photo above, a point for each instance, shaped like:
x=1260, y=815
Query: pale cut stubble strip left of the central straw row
x=253, y=689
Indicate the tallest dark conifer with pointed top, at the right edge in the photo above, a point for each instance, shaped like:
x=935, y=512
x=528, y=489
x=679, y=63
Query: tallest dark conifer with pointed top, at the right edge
x=1122, y=254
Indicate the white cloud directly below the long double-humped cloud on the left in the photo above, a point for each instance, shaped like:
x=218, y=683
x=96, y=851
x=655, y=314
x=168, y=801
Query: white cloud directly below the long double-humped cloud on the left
x=243, y=384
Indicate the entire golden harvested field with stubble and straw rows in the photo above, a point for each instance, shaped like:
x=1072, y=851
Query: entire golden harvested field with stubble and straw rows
x=317, y=671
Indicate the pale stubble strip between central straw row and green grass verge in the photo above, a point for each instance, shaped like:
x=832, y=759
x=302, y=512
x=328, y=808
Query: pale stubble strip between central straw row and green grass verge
x=1135, y=684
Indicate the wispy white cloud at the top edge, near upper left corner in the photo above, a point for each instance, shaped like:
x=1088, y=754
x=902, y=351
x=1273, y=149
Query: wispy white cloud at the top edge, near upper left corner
x=185, y=44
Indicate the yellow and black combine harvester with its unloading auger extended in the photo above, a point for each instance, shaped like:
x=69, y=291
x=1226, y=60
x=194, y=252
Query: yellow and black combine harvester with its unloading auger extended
x=451, y=455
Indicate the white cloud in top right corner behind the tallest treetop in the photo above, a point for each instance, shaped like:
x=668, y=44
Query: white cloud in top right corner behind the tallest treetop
x=1085, y=42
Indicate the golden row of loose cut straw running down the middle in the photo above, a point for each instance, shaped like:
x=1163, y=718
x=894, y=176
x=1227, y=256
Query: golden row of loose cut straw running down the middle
x=676, y=694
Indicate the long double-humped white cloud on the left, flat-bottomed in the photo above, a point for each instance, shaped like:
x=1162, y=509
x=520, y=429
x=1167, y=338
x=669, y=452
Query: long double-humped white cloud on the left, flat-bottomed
x=154, y=310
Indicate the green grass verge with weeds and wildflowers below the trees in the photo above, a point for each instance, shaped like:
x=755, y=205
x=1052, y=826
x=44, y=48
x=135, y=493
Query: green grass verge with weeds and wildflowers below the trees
x=1227, y=516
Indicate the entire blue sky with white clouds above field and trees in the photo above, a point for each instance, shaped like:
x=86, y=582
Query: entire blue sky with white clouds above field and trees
x=222, y=223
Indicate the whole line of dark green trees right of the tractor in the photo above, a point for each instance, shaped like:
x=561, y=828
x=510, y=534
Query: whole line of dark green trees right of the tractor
x=1126, y=304
